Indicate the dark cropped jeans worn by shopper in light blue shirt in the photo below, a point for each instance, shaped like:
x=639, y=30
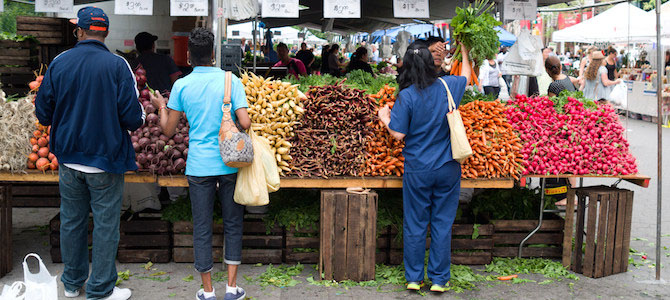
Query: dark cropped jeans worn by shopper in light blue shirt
x=203, y=191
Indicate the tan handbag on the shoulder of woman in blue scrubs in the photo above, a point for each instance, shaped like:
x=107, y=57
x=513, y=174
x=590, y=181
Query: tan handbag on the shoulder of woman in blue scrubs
x=460, y=146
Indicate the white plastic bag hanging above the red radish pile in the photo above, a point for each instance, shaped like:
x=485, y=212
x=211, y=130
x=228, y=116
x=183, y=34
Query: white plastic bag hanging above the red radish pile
x=525, y=56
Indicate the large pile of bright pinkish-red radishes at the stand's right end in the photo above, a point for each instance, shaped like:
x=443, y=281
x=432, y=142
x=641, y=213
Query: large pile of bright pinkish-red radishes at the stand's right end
x=579, y=141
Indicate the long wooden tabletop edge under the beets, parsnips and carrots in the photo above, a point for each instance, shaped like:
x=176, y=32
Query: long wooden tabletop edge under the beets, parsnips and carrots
x=286, y=182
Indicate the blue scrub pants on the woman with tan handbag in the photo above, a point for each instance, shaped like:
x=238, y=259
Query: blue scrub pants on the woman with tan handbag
x=430, y=197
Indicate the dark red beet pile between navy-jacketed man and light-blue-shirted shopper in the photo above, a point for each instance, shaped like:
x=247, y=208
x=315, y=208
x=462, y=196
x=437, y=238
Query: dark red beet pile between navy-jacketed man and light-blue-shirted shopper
x=155, y=152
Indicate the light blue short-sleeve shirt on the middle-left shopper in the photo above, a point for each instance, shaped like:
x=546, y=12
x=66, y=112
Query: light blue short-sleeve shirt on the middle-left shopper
x=200, y=96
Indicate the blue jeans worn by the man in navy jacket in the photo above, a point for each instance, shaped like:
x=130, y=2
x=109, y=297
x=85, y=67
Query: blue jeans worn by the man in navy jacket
x=81, y=193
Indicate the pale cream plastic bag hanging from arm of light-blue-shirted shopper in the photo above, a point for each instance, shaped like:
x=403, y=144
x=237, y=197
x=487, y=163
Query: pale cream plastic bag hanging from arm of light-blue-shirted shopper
x=251, y=188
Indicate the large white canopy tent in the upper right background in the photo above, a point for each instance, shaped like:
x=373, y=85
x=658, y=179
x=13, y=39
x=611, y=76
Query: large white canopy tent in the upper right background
x=621, y=23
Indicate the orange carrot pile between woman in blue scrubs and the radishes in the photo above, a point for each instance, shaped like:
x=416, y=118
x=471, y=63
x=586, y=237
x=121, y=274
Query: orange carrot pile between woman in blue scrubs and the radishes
x=495, y=145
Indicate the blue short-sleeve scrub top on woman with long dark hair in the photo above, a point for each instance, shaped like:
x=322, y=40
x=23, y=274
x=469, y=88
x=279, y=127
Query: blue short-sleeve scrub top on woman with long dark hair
x=422, y=116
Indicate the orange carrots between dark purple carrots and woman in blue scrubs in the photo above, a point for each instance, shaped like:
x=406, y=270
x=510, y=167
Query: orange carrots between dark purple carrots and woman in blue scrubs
x=383, y=152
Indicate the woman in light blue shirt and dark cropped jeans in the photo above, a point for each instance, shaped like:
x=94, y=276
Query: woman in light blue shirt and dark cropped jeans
x=200, y=96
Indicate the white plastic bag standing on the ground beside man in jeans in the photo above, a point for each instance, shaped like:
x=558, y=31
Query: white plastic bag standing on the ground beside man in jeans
x=41, y=285
